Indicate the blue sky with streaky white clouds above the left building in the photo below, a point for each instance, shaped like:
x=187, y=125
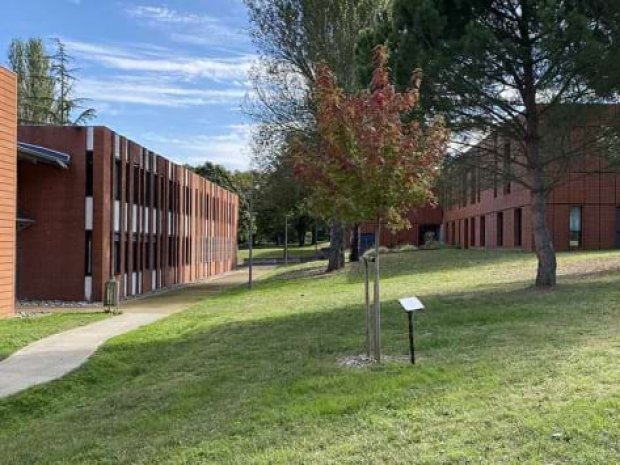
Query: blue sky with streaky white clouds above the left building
x=170, y=75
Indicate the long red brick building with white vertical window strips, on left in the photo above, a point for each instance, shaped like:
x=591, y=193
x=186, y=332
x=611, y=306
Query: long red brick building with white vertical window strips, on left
x=106, y=207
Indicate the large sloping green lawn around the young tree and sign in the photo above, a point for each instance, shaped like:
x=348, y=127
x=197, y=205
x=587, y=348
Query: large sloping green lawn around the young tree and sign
x=507, y=374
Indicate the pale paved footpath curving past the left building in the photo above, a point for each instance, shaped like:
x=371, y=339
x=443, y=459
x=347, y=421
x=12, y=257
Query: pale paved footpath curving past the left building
x=55, y=356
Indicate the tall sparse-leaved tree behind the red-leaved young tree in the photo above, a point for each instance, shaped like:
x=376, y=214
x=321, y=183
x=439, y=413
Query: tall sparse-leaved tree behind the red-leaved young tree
x=293, y=36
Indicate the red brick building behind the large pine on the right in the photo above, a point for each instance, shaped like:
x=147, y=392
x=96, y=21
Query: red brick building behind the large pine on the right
x=583, y=211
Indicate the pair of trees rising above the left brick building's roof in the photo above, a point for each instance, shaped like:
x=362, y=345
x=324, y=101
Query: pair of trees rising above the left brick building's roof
x=46, y=84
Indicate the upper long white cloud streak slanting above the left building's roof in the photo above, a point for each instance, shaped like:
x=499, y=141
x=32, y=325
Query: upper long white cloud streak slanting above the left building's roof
x=154, y=61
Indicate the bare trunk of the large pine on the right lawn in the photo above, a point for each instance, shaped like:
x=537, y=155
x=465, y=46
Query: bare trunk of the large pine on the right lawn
x=547, y=264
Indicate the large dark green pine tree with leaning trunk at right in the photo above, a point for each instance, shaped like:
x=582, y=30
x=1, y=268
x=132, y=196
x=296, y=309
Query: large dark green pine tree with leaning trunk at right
x=514, y=69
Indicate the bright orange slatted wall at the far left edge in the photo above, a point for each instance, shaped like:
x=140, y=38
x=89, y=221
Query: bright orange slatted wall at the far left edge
x=8, y=180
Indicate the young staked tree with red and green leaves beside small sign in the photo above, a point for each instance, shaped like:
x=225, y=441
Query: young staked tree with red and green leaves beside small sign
x=370, y=164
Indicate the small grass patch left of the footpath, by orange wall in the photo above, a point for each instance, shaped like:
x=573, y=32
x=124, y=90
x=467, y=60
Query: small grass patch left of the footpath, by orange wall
x=16, y=333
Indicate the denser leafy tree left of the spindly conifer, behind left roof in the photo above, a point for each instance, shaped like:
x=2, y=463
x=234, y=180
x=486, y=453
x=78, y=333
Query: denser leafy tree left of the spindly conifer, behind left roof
x=35, y=86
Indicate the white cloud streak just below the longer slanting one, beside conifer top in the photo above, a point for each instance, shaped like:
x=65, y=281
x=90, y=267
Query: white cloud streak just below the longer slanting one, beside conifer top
x=156, y=92
